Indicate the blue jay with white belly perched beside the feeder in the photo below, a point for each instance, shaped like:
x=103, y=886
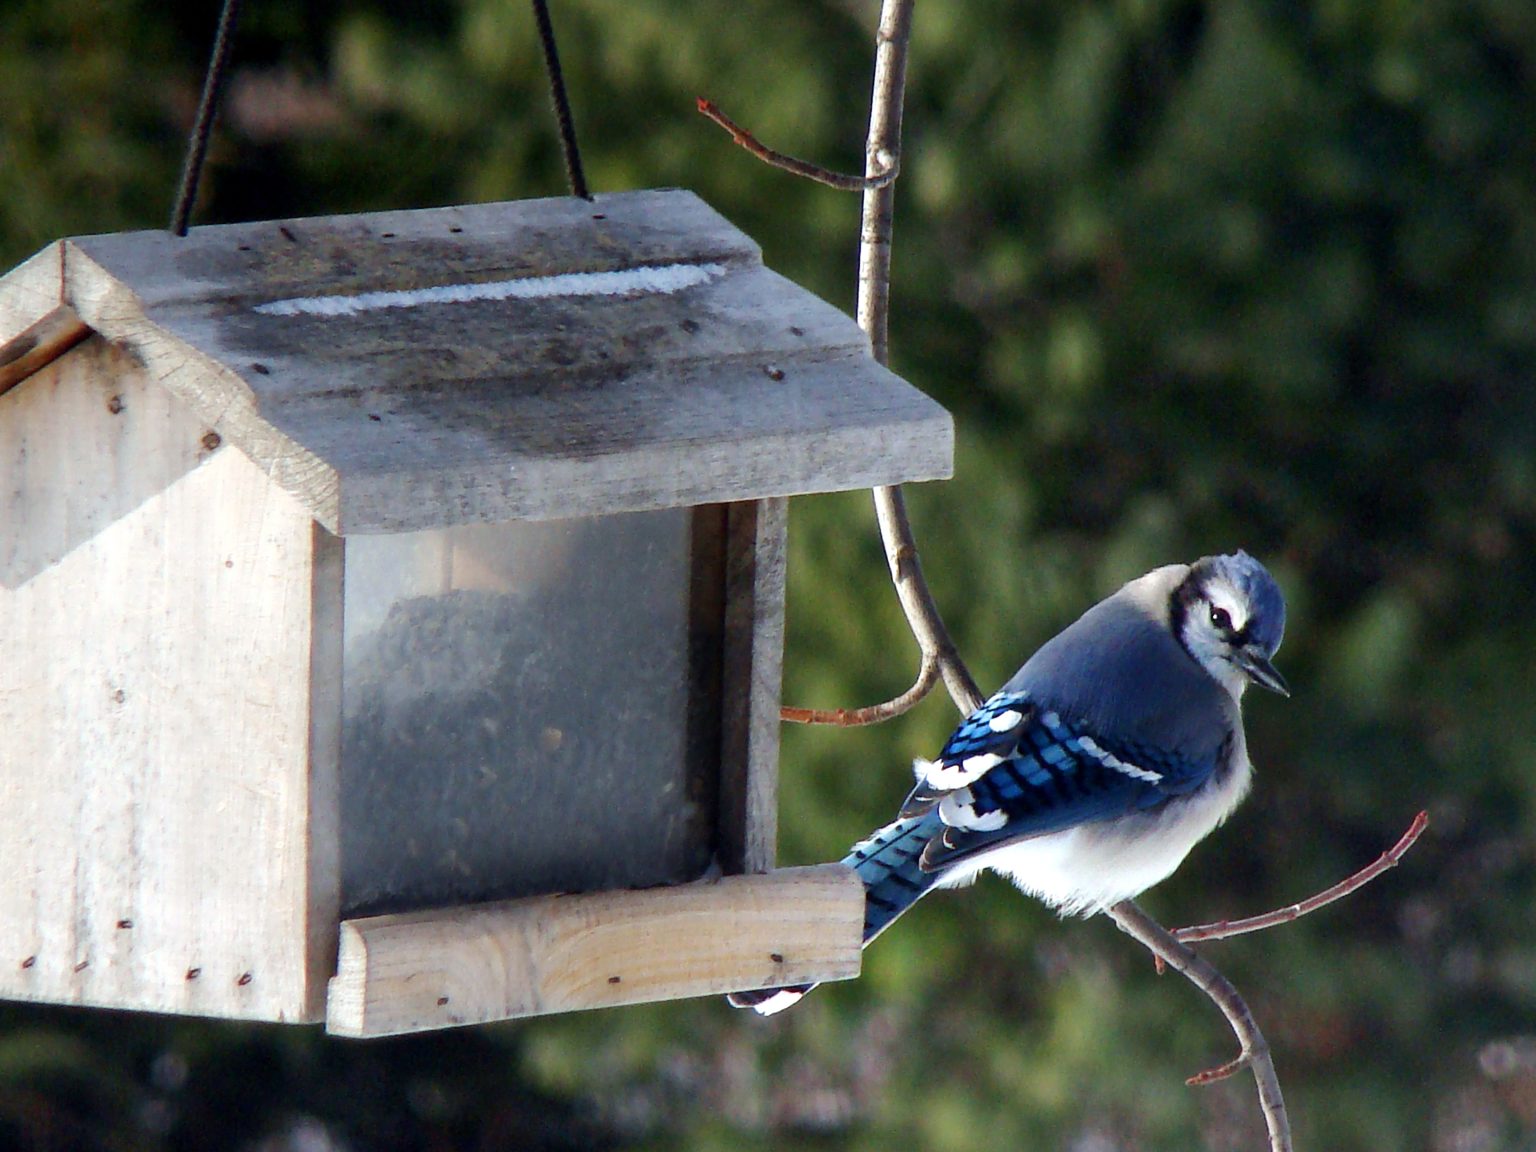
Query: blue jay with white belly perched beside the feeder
x=1090, y=776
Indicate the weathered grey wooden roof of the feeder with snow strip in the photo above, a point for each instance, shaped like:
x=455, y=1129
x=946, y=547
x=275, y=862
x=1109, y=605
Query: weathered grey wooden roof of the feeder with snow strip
x=497, y=362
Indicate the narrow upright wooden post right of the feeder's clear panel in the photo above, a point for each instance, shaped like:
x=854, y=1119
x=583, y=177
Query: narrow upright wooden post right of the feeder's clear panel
x=753, y=667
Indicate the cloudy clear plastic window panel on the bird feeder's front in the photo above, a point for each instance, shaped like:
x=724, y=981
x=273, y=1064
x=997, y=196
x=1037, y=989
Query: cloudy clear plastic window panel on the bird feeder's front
x=521, y=712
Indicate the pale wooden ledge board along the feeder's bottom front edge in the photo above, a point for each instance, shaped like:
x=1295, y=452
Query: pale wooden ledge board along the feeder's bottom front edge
x=564, y=953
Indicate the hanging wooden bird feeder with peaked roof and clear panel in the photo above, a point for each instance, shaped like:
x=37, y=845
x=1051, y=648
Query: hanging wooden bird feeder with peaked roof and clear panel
x=391, y=612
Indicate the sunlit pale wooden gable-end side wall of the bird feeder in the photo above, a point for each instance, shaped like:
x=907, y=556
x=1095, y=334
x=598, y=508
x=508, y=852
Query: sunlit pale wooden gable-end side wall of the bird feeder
x=165, y=842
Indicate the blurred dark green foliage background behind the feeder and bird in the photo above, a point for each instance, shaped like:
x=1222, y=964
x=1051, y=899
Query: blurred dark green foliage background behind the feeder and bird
x=1191, y=277
